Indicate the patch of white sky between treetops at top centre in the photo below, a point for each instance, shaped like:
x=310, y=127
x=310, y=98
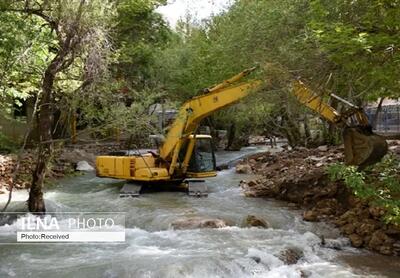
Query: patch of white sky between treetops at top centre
x=200, y=9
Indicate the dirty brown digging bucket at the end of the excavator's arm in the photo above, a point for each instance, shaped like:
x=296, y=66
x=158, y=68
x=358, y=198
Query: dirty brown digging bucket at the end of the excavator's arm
x=362, y=147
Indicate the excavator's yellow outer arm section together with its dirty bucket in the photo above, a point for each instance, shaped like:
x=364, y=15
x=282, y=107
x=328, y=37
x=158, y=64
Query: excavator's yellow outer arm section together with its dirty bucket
x=362, y=147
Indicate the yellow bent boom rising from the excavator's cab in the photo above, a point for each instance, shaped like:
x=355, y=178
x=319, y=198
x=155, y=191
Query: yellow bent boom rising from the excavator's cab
x=199, y=107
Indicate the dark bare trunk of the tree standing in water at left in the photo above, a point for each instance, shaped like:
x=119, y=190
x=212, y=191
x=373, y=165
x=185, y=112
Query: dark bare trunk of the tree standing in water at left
x=45, y=121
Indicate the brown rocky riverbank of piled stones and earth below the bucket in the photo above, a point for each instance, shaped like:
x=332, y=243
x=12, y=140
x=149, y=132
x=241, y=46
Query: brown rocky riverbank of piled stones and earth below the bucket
x=299, y=177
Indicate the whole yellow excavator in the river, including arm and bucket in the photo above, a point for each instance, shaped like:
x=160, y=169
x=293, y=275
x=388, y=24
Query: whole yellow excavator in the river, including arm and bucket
x=185, y=157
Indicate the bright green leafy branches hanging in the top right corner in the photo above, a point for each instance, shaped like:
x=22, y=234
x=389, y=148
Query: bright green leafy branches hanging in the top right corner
x=361, y=38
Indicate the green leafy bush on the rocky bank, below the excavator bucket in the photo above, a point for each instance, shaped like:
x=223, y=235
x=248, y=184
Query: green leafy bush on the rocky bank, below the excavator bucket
x=379, y=184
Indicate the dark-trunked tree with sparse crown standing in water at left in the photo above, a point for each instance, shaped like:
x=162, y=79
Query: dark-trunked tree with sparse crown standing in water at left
x=76, y=27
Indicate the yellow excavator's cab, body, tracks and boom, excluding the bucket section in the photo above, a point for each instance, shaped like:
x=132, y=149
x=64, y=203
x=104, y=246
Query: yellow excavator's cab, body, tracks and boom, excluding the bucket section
x=184, y=157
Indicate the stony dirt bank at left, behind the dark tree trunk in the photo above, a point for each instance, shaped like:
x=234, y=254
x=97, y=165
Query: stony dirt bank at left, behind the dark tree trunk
x=63, y=163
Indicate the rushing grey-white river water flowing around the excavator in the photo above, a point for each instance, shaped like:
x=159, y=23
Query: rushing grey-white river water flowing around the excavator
x=153, y=249
